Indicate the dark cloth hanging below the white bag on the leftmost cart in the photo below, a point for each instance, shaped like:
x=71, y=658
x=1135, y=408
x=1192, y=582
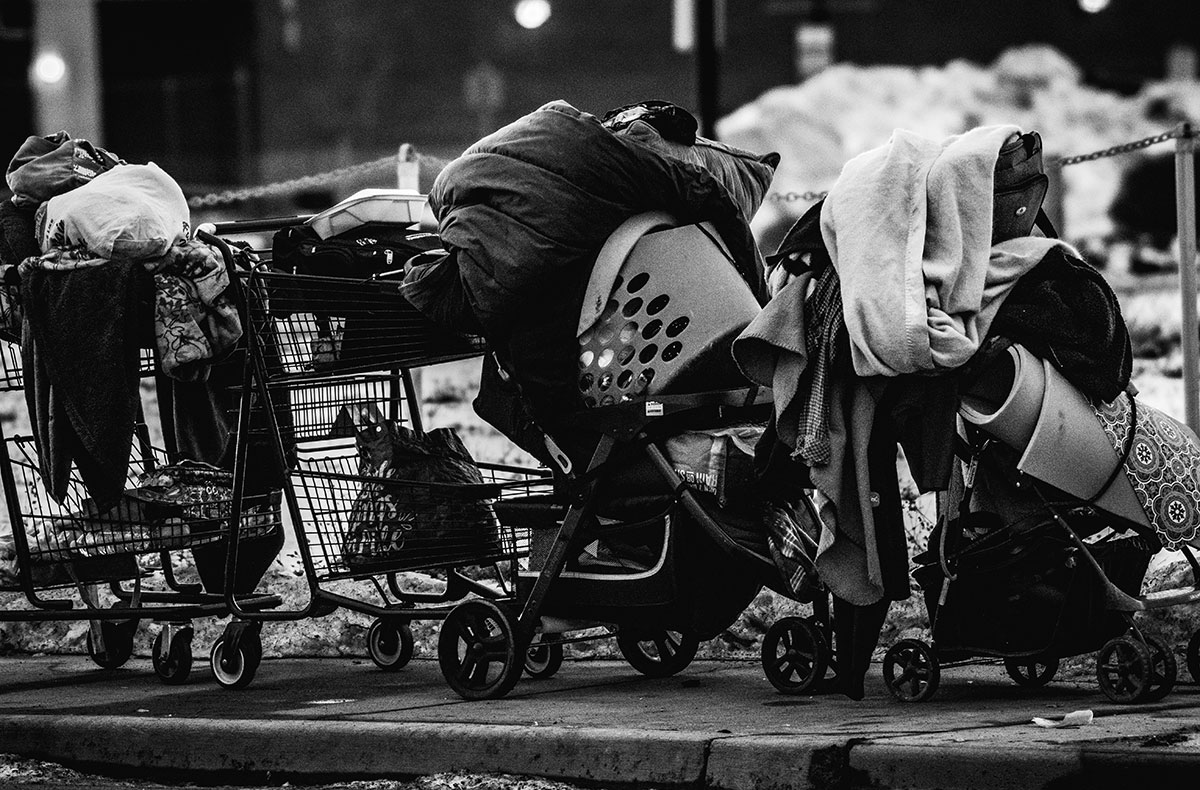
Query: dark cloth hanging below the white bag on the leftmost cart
x=81, y=366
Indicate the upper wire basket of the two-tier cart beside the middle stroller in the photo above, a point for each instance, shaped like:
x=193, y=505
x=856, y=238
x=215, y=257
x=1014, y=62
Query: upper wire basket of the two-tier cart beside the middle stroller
x=331, y=326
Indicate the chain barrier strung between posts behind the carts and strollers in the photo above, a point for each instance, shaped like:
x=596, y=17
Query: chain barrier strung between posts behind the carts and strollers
x=322, y=179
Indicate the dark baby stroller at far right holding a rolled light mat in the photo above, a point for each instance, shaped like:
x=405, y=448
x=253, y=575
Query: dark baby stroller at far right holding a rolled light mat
x=1030, y=564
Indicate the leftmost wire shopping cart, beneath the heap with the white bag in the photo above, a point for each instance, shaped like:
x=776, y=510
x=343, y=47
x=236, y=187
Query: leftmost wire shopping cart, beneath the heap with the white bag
x=74, y=561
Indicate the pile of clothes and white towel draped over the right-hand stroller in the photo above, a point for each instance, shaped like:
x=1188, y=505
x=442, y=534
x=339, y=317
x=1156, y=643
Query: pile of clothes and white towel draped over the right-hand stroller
x=884, y=296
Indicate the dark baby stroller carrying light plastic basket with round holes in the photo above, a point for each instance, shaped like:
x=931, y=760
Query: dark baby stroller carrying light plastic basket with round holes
x=659, y=537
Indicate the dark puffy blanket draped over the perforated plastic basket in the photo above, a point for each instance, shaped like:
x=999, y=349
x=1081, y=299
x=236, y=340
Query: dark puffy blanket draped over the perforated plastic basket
x=524, y=214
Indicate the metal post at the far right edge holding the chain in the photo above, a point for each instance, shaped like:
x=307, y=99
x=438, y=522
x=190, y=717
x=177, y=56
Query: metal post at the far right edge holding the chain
x=1186, y=223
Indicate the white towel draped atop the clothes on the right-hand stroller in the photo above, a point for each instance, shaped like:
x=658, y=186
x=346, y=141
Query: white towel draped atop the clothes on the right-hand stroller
x=909, y=228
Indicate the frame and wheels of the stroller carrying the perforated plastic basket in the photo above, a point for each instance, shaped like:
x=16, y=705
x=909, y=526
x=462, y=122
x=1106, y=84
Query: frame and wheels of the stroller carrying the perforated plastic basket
x=487, y=644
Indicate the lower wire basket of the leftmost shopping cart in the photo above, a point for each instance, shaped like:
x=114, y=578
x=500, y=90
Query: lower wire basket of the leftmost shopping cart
x=164, y=508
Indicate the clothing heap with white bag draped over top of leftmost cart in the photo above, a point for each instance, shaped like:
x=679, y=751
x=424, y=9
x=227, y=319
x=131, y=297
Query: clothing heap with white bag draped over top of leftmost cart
x=101, y=252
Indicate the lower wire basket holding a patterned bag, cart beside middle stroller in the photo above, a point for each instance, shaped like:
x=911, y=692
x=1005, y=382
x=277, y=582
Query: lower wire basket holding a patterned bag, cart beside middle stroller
x=359, y=525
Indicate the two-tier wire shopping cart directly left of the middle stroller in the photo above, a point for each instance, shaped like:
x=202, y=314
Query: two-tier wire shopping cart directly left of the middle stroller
x=325, y=351
